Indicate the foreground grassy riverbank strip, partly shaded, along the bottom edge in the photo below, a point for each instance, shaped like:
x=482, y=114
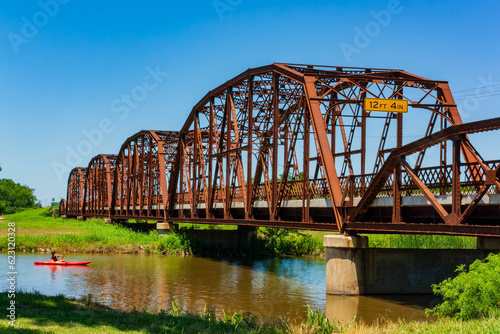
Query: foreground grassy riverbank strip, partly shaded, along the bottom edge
x=36, y=313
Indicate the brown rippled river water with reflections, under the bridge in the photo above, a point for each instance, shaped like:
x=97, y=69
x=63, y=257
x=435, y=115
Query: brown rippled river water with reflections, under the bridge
x=266, y=288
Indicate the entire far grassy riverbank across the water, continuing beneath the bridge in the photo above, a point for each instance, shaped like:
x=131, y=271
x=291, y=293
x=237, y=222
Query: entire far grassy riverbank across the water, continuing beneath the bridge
x=37, y=231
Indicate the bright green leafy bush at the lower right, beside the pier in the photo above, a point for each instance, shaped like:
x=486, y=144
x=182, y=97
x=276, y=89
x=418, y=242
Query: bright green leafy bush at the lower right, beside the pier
x=472, y=294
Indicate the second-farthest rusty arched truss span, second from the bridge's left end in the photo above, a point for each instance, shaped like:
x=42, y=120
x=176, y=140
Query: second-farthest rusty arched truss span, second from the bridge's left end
x=99, y=185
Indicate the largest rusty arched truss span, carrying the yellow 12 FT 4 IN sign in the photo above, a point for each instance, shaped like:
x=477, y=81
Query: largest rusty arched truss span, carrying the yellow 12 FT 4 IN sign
x=282, y=135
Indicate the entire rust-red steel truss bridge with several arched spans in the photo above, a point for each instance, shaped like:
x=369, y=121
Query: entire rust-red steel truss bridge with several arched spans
x=292, y=146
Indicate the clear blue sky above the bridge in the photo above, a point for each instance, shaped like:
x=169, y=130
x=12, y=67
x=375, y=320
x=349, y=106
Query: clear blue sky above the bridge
x=66, y=65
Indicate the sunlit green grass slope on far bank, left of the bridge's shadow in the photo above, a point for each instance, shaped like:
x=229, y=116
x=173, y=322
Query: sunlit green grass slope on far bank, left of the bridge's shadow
x=36, y=231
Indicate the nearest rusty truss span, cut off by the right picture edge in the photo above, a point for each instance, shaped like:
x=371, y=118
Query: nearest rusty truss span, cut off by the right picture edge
x=455, y=180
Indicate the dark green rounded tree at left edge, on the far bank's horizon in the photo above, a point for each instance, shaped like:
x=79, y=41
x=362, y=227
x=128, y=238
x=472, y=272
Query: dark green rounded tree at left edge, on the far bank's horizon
x=14, y=197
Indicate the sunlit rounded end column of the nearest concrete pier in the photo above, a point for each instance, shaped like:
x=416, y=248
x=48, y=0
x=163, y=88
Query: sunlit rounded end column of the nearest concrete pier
x=345, y=264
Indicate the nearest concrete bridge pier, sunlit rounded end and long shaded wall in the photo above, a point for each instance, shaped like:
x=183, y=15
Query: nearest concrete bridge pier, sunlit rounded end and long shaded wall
x=354, y=269
